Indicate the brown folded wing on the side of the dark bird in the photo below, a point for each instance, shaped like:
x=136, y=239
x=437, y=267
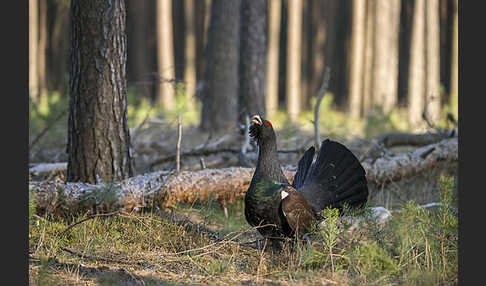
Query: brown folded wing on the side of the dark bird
x=297, y=211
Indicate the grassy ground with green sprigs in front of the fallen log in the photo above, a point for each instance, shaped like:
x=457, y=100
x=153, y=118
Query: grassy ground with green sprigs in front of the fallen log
x=416, y=246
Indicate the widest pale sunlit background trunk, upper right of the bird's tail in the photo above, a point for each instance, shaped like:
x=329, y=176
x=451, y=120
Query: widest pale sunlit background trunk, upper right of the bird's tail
x=385, y=59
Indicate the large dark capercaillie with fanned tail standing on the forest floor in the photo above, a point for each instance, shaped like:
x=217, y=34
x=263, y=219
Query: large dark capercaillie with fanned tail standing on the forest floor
x=335, y=178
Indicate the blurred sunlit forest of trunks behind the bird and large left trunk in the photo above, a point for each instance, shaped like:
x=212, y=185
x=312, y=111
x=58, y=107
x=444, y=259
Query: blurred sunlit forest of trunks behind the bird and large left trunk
x=393, y=66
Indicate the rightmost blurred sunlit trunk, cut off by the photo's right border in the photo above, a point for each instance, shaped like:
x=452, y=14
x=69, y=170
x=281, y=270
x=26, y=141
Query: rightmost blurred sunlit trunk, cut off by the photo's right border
x=454, y=91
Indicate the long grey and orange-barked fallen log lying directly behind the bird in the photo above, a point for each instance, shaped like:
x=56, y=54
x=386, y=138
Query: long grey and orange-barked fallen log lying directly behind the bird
x=165, y=189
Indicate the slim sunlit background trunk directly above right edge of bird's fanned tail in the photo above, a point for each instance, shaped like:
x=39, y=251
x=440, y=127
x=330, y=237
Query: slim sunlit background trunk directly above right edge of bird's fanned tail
x=357, y=54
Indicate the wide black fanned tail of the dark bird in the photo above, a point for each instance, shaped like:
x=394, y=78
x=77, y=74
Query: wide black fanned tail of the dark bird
x=334, y=179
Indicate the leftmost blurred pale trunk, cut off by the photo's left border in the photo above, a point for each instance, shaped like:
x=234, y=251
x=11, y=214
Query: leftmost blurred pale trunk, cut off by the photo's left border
x=33, y=42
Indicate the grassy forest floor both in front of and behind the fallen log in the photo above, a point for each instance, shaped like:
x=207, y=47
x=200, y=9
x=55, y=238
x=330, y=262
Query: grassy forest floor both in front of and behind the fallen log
x=198, y=245
